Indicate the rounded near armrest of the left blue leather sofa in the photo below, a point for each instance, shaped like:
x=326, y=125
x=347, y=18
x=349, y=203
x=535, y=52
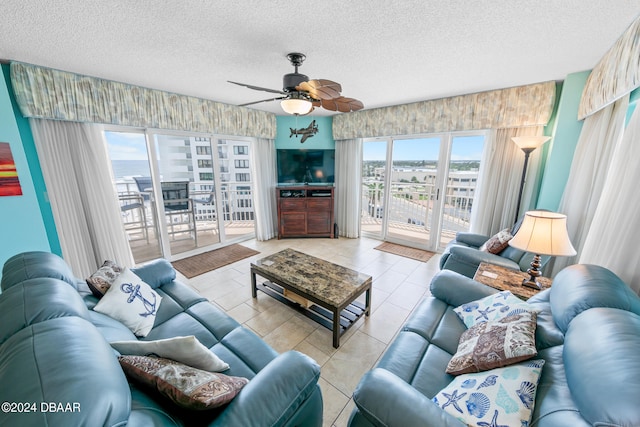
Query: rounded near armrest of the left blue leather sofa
x=275, y=394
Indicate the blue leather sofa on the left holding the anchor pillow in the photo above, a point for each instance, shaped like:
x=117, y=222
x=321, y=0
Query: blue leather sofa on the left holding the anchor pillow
x=58, y=369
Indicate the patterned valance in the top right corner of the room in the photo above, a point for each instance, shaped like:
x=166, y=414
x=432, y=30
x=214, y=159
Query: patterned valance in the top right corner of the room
x=615, y=75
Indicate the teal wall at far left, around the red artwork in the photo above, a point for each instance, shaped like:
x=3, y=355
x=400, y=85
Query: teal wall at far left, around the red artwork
x=22, y=226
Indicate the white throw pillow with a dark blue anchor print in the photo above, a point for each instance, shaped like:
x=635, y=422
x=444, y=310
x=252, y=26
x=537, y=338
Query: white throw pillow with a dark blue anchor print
x=132, y=302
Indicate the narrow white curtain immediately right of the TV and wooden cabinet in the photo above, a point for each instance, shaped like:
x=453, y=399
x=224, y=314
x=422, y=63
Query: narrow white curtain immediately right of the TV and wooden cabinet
x=348, y=178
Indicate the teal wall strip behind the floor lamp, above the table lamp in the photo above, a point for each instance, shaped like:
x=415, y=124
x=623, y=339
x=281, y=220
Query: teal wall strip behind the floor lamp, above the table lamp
x=565, y=134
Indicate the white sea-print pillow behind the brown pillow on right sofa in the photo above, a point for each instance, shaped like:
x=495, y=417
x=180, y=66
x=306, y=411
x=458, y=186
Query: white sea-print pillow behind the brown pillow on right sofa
x=493, y=307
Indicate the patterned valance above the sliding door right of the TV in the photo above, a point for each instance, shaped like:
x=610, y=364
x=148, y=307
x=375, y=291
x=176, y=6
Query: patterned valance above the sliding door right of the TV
x=521, y=106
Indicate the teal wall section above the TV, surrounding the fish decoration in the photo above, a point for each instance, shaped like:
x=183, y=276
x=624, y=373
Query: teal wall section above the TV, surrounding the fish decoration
x=321, y=140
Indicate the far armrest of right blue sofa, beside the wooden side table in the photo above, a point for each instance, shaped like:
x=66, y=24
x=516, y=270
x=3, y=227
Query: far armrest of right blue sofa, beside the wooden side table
x=455, y=289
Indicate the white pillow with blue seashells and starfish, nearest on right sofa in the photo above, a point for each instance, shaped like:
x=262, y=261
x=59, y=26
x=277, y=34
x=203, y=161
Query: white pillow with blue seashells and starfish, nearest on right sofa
x=499, y=397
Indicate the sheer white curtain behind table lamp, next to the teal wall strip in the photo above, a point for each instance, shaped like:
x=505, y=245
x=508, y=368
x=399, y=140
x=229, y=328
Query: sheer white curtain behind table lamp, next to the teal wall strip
x=601, y=133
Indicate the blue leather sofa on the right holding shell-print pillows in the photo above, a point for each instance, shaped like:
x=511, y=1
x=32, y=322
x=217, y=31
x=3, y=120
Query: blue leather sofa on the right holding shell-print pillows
x=588, y=333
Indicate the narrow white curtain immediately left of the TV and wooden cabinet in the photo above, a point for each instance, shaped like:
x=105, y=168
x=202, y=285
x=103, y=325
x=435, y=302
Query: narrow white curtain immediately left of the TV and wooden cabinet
x=263, y=161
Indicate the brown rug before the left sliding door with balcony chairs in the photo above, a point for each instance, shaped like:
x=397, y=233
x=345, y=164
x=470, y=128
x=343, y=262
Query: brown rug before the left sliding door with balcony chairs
x=205, y=262
